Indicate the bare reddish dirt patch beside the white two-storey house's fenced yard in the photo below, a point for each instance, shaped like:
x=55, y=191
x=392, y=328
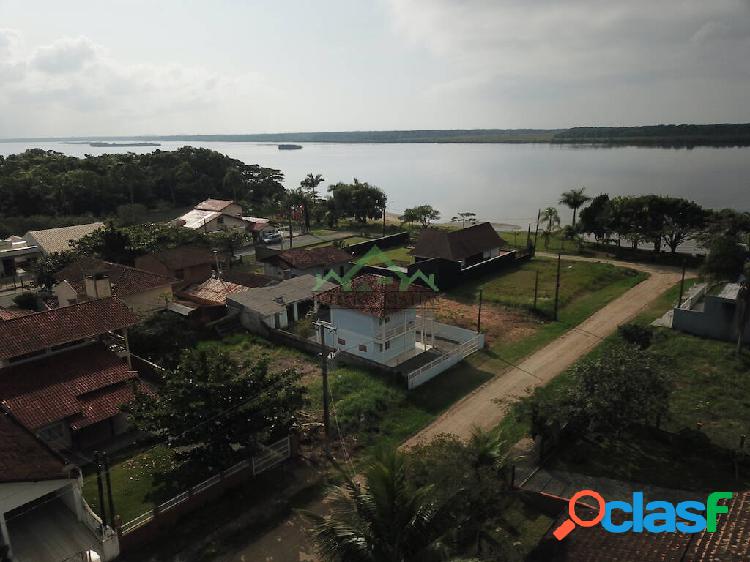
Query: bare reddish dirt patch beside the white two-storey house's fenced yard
x=499, y=323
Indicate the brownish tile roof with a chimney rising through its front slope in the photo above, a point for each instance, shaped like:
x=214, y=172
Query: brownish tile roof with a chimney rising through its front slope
x=125, y=280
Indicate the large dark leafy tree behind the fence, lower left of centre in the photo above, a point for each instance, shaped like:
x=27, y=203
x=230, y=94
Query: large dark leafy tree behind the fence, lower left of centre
x=212, y=409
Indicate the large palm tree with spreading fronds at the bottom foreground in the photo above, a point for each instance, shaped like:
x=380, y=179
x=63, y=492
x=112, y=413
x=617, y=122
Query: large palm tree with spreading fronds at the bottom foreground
x=383, y=520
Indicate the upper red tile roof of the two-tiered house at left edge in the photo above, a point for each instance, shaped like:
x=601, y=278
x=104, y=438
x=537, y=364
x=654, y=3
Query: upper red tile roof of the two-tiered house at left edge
x=41, y=330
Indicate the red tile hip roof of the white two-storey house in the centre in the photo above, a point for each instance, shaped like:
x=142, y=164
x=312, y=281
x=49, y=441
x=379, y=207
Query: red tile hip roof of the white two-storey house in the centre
x=376, y=295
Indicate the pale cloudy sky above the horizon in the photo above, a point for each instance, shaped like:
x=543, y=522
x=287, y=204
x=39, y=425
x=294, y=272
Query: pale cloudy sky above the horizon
x=118, y=67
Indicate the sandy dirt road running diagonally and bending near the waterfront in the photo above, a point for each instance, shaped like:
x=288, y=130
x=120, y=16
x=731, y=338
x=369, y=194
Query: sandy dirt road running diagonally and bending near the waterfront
x=488, y=404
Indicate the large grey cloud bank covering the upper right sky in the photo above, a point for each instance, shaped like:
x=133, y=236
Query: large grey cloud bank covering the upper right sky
x=563, y=63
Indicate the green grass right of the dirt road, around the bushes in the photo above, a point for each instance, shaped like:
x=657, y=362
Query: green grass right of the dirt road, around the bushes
x=711, y=389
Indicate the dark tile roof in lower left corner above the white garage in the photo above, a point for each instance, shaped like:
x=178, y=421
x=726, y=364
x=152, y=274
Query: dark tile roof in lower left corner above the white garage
x=23, y=456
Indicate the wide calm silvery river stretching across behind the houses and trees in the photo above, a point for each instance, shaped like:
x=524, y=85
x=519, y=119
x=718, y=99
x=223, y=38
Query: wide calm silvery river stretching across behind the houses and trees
x=504, y=183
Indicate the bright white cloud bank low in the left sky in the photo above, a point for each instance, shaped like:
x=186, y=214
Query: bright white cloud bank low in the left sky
x=74, y=85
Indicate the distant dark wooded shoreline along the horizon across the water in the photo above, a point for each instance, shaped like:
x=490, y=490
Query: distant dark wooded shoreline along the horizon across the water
x=670, y=136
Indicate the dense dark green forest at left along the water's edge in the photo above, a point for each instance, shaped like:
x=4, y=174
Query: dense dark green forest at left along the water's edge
x=47, y=188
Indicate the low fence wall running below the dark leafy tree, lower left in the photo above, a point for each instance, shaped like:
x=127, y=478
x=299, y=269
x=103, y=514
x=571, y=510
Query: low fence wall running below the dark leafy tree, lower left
x=272, y=455
